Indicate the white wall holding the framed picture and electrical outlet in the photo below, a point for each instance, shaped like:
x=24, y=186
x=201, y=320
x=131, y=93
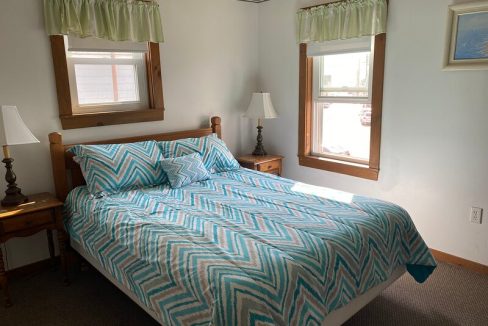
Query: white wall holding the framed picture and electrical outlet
x=434, y=154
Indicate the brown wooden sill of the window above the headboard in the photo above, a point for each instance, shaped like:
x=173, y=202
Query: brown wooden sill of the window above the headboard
x=110, y=118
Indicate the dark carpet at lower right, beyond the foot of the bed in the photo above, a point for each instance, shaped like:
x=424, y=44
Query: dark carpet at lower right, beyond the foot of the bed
x=451, y=296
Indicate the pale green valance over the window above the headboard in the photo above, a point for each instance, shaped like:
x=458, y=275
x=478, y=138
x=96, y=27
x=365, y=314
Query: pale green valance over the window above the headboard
x=114, y=20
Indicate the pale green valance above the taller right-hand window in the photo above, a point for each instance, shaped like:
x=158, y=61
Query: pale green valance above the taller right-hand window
x=342, y=20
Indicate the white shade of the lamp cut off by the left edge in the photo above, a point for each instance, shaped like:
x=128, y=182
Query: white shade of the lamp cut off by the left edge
x=14, y=131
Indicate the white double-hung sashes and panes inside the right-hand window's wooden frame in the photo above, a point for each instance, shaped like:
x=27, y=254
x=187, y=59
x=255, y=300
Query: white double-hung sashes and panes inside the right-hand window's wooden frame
x=342, y=100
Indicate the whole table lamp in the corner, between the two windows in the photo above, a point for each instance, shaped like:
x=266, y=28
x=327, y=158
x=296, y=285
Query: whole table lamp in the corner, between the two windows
x=260, y=108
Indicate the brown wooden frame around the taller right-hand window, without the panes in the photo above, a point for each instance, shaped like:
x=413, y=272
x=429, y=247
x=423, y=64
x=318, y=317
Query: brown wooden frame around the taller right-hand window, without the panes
x=305, y=157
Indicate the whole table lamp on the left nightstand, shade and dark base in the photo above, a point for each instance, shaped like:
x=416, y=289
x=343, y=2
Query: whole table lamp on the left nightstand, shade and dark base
x=14, y=132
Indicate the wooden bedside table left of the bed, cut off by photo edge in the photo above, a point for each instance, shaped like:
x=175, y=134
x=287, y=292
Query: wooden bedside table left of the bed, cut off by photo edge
x=40, y=212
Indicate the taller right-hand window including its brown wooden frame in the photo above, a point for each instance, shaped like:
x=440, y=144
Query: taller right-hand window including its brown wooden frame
x=341, y=91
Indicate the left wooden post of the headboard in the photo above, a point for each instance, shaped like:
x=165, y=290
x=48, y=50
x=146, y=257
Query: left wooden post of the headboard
x=59, y=165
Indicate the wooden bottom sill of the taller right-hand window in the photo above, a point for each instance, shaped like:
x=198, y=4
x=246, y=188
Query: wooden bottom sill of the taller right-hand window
x=356, y=170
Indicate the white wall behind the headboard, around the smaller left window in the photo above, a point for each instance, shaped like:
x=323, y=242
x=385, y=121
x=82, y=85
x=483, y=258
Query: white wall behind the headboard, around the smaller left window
x=209, y=60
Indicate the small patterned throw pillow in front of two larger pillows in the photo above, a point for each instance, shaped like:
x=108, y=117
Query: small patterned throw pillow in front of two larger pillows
x=184, y=170
